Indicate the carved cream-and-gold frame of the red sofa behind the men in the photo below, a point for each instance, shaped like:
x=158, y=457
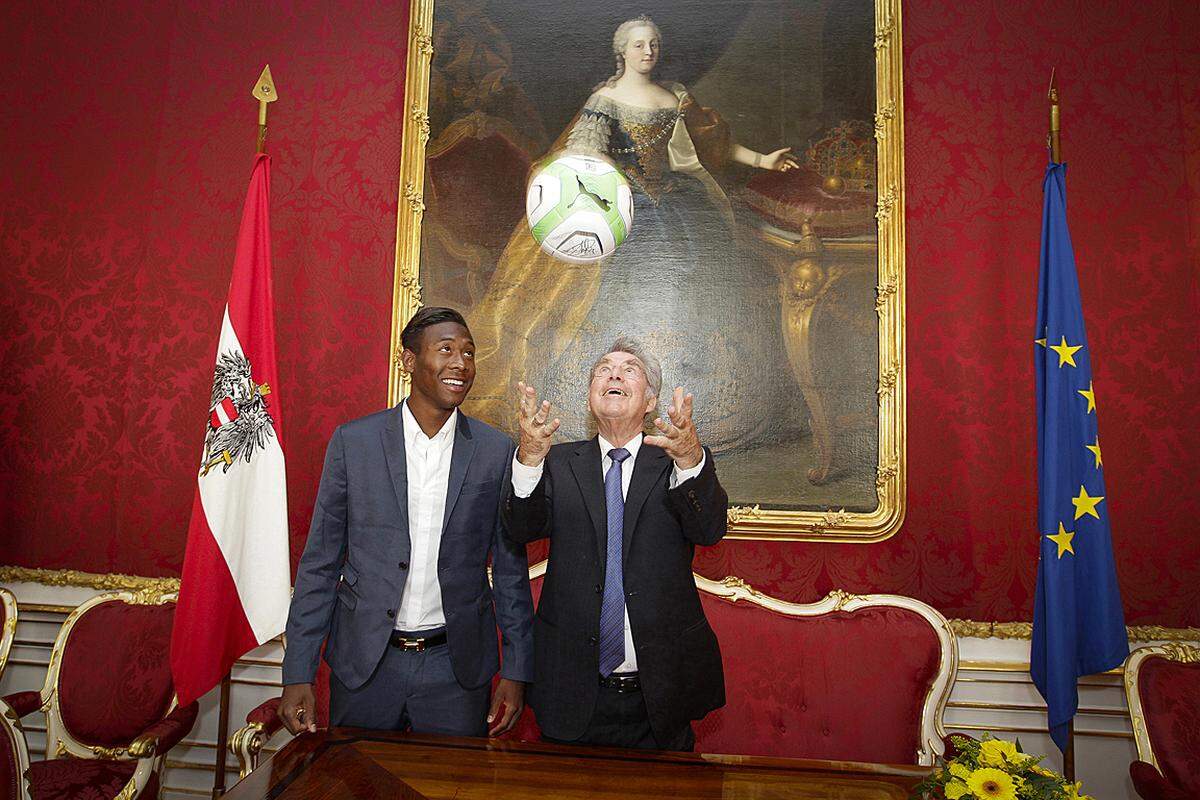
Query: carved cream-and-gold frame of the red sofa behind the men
x=933, y=729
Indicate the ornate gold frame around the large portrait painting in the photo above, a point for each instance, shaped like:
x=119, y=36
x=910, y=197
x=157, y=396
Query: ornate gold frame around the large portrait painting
x=752, y=524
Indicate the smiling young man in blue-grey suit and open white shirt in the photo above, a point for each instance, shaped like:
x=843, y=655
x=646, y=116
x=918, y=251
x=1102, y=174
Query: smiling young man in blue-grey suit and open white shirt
x=395, y=570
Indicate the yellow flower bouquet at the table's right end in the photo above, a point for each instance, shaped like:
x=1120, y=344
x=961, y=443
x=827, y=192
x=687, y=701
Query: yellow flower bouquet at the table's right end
x=994, y=769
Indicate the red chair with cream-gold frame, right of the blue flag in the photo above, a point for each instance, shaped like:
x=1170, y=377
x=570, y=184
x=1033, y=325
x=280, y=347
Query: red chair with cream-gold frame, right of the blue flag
x=1163, y=694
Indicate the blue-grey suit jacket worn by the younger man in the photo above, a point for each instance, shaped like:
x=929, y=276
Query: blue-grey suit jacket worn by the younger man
x=352, y=575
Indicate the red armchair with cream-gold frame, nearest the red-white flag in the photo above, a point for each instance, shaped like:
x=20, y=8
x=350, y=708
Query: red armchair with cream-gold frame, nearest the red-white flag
x=111, y=709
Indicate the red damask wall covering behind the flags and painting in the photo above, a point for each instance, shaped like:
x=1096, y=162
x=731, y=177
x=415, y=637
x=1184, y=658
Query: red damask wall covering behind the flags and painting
x=128, y=145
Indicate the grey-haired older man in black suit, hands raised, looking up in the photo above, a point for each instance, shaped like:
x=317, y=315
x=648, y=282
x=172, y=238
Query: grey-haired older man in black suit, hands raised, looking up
x=625, y=655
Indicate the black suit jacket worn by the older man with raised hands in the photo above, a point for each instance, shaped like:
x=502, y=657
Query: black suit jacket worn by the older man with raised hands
x=677, y=654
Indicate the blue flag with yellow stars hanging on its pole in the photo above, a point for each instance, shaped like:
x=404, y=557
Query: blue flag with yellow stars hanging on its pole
x=1078, y=623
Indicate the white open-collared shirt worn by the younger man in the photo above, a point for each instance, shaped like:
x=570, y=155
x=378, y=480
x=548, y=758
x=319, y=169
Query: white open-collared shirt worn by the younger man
x=428, y=461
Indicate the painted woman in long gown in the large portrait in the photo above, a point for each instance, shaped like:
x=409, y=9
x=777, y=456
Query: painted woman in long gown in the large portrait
x=679, y=282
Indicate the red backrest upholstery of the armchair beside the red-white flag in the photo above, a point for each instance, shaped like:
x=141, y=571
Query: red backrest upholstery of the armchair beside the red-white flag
x=116, y=676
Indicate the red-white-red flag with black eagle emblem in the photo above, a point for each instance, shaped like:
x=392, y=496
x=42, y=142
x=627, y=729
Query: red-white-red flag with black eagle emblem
x=236, y=587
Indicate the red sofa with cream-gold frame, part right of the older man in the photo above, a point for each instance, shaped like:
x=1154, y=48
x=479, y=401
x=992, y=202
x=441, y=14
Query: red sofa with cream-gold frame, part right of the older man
x=849, y=678
